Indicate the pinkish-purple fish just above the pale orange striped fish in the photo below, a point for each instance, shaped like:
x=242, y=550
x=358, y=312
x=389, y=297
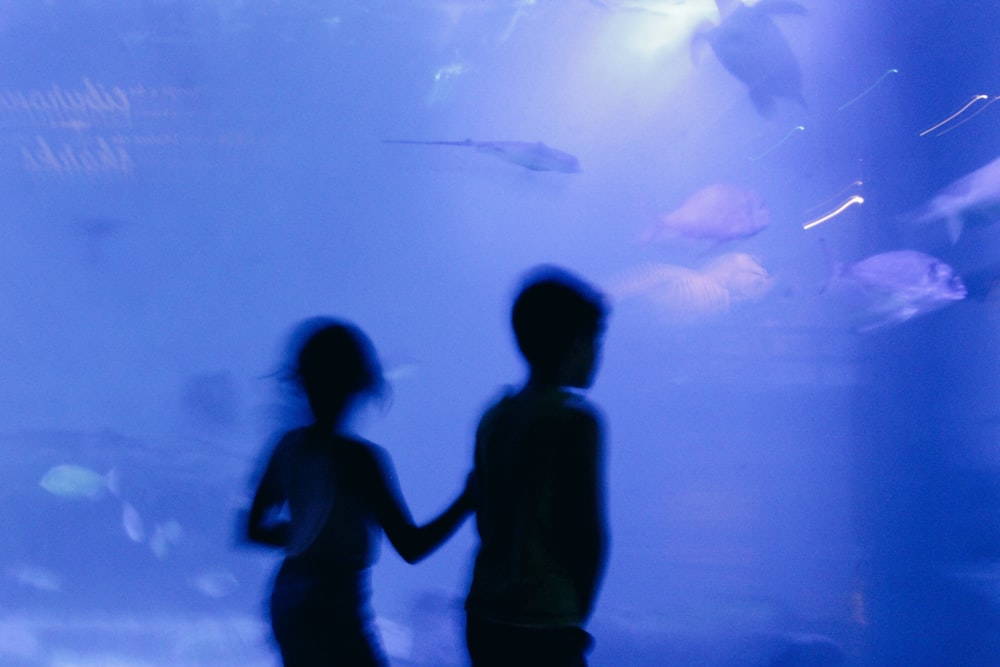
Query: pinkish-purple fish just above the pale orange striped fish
x=716, y=213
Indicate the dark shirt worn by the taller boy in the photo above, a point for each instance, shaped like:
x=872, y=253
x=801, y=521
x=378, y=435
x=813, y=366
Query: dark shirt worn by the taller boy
x=540, y=509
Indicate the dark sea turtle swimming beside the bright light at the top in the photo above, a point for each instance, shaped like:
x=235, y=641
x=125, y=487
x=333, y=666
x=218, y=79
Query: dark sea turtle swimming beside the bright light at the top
x=751, y=47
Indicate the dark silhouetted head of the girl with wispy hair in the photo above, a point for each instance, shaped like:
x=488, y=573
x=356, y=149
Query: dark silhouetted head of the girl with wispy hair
x=334, y=364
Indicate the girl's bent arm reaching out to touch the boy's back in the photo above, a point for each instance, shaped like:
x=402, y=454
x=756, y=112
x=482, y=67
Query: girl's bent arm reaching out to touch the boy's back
x=411, y=541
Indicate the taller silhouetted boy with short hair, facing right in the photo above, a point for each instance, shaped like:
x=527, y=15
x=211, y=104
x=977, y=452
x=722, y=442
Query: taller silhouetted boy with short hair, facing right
x=538, y=475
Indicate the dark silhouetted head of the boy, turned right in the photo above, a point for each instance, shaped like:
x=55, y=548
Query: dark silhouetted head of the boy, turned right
x=558, y=320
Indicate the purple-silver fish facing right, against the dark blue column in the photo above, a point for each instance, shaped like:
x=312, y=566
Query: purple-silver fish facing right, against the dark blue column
x=900, y=285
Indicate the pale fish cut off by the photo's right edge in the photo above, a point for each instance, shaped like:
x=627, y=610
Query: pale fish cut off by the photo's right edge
x=975, y=196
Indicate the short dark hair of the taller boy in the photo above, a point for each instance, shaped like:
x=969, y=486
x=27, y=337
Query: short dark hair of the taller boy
x=552, y=310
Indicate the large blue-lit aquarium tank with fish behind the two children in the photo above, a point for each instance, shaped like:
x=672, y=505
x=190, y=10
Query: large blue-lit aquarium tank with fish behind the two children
x=791, y=206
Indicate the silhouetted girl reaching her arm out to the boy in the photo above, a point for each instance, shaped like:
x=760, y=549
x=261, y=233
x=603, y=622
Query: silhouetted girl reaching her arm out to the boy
x=325, y=497
